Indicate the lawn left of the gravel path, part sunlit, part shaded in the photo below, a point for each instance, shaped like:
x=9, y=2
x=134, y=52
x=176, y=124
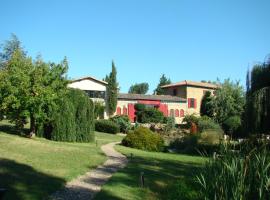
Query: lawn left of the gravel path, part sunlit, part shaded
x=34, y=168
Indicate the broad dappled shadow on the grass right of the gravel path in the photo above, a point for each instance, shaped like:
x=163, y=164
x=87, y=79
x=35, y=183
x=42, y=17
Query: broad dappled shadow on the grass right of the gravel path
x=159, y=175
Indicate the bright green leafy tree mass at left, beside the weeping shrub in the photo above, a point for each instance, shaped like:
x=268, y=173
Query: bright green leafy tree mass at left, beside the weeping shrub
x=29, y=90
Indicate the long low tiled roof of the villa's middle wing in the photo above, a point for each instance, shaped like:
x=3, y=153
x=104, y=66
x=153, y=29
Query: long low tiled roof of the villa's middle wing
x=151, y=97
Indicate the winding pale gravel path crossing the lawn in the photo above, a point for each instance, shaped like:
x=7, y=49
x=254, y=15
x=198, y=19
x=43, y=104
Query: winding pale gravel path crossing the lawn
x=86, y=186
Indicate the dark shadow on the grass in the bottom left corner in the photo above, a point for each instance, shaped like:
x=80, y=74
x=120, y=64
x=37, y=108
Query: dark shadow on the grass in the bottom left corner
x=24, y=182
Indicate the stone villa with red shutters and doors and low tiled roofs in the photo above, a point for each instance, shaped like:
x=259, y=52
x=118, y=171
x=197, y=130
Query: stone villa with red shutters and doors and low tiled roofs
x=180, y=98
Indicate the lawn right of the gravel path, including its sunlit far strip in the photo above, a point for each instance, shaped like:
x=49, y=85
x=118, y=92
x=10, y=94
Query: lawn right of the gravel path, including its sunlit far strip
x=161, y=171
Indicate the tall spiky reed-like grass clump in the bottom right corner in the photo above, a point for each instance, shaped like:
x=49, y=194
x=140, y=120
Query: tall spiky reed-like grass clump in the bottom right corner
x=237, y=174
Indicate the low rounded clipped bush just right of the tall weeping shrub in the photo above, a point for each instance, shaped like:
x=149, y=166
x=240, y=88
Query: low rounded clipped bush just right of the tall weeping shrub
x=106, y=126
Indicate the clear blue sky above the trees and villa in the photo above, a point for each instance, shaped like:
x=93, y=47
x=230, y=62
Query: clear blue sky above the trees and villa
x=184, y=39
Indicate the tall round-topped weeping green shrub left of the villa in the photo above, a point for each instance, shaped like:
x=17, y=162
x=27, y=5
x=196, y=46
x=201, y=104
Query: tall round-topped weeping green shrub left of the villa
x=72, y=119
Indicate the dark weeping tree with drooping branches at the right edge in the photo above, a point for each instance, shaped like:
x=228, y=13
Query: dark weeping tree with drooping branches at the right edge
x=257, y=115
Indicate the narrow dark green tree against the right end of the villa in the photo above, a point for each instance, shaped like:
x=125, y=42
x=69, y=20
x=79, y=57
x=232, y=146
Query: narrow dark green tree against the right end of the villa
x=207, y=107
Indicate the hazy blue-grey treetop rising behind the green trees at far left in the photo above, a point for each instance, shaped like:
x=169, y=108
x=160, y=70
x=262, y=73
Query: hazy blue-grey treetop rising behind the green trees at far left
x=9, y=48
